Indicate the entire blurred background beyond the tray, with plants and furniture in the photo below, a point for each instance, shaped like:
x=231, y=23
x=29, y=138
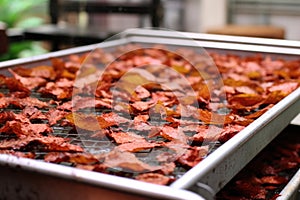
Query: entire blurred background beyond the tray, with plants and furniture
x=35, y=27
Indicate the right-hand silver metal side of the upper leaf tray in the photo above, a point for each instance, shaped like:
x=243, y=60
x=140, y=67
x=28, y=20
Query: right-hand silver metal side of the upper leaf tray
x=218, y=168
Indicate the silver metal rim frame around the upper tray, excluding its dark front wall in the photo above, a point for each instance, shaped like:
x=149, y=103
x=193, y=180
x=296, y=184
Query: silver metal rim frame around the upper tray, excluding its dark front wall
x=210, y=175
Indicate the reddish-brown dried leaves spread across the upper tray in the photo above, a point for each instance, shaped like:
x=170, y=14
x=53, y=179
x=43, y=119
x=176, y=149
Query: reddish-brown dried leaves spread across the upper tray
x=175, y=105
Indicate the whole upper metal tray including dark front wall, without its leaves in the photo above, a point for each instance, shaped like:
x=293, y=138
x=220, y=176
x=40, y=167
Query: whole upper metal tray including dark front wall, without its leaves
x=205, y=179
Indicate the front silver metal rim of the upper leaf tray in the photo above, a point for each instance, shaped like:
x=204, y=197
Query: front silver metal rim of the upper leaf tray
x=98, y=179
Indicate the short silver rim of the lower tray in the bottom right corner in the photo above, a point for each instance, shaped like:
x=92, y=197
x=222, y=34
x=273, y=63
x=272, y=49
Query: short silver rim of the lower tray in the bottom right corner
x=292, y=190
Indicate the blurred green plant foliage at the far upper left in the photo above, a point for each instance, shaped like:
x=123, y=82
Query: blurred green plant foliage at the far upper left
x=23, y=14
